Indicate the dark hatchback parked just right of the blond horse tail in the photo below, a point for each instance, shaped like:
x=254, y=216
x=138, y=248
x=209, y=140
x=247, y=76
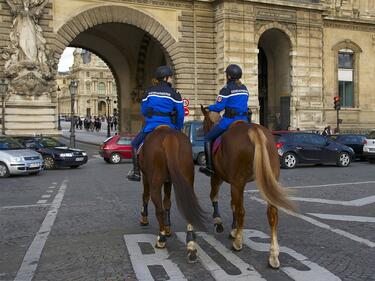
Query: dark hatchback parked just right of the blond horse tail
x=310, y=148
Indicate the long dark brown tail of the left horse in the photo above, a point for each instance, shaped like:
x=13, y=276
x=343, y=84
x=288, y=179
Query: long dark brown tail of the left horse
x=187, y=202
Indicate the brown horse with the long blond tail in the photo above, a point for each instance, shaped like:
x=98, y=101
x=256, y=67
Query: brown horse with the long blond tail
x=247, y=153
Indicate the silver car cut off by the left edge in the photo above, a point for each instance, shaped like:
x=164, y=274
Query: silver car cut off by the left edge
x=16, y=160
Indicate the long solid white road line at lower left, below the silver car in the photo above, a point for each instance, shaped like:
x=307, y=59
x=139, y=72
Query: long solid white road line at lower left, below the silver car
x=30, y=261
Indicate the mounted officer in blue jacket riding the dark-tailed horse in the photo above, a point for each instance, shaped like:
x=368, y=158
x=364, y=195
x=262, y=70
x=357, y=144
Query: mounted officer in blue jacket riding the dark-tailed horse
x=161, y=105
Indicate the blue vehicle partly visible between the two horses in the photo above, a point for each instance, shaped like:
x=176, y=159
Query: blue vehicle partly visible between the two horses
x=194, y=130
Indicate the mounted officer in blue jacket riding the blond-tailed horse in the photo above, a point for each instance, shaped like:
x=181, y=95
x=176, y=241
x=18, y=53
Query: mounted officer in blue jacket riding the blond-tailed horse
x=233, y=98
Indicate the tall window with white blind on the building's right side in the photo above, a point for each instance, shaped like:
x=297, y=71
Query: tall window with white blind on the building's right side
x=346, y=77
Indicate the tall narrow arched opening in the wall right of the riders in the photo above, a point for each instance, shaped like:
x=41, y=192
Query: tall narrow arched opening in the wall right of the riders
x=274, y=77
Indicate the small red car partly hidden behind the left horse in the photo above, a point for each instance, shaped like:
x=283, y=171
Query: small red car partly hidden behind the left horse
x=116, y=148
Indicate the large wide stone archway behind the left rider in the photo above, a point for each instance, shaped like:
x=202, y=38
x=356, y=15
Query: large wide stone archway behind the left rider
x=95, y=29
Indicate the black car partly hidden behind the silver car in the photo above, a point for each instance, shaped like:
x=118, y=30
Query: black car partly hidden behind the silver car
x=55, y=153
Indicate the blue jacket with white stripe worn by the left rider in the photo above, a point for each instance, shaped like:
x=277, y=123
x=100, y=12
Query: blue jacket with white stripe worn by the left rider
x=162, y=98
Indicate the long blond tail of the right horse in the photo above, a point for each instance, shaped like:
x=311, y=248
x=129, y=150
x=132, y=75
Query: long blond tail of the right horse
x=265, y=176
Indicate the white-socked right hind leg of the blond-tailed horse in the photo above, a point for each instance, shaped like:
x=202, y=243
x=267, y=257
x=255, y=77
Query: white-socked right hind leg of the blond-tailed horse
x=273, y=219
